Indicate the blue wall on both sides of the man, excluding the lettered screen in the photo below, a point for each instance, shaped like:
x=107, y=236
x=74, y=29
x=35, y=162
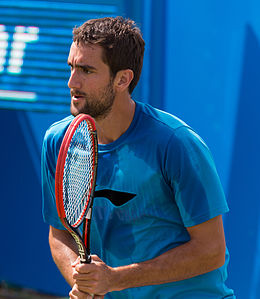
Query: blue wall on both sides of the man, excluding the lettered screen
x=202, y=64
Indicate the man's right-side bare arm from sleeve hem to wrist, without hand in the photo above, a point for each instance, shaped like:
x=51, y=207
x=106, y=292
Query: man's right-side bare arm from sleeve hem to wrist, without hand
x=198, y=256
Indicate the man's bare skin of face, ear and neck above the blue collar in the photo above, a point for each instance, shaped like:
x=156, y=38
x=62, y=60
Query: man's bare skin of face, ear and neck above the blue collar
x=94, y=91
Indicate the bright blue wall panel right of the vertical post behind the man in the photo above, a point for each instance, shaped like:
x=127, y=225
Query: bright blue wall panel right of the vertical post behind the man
x=212, y=81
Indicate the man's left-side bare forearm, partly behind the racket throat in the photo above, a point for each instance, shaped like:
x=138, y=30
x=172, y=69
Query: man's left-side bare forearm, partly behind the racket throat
x=64, y=252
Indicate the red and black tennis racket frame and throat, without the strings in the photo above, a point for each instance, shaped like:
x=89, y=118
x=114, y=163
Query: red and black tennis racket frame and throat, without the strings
x=83, y=242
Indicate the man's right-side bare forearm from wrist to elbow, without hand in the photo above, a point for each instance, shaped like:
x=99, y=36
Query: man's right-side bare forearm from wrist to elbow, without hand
x=180, y=263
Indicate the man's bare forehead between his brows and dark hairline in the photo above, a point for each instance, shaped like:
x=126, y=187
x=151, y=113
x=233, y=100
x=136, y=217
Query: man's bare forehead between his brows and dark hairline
x=85, y=53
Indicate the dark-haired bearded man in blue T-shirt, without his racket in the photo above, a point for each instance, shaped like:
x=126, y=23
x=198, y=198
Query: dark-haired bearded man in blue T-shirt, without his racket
x=157, y=228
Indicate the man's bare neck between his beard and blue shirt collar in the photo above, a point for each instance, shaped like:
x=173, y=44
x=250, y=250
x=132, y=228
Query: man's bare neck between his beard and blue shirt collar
x=117, y=121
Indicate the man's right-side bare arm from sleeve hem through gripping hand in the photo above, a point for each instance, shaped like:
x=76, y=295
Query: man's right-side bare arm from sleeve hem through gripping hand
x=204, y=252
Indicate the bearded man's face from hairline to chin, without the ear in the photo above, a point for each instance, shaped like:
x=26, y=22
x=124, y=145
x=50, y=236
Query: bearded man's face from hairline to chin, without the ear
x=91, y=85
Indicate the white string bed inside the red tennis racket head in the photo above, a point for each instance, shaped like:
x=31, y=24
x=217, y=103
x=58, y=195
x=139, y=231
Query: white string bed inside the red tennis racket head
x=78, y=174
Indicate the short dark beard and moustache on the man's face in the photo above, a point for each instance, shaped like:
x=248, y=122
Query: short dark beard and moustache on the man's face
x=96, y=105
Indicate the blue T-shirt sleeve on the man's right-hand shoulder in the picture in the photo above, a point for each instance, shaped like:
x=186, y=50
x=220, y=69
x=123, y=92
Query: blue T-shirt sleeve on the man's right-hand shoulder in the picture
x=193, y=176
